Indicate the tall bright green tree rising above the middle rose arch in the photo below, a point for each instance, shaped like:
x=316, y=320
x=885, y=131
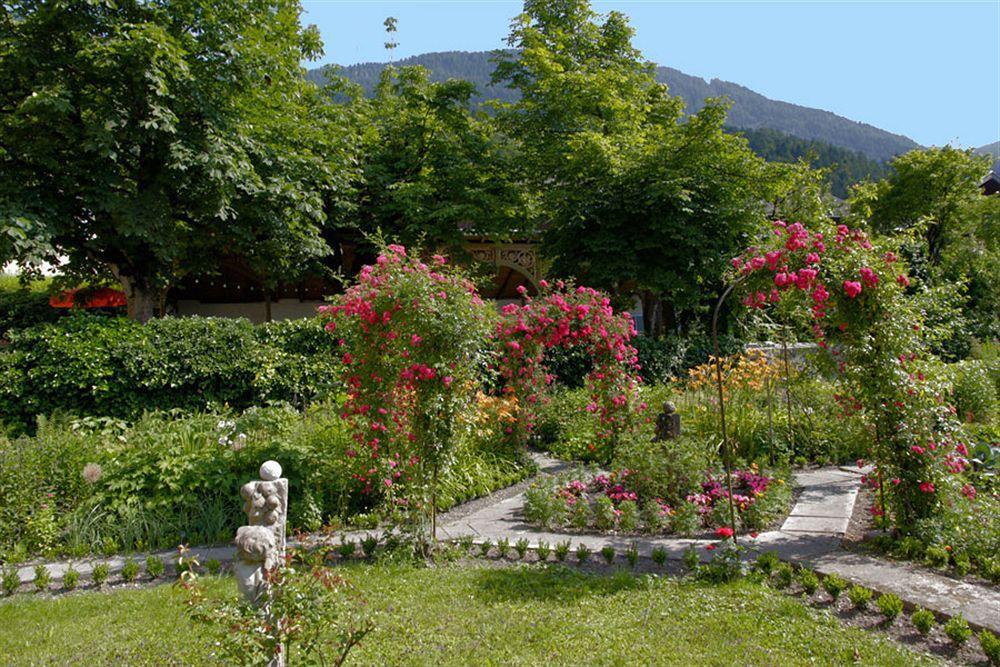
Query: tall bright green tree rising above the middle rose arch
x=635, y=197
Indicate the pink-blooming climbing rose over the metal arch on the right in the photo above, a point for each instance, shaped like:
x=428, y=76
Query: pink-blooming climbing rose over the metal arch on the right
x=852, y=293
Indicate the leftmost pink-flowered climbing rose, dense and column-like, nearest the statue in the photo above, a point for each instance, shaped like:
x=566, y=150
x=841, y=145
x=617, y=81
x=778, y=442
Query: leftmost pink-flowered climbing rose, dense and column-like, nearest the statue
x=414, y=335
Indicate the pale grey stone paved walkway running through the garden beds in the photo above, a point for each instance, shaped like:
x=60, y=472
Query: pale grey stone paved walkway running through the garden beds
x=810, y=536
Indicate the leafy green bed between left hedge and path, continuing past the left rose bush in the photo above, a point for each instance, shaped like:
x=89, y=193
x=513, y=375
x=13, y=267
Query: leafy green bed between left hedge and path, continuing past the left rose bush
x=89, y=485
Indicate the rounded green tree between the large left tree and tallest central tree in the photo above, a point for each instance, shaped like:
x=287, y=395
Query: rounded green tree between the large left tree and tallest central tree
x=432, y=171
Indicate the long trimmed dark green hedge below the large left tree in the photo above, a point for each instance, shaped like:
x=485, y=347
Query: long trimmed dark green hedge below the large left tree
x=117, y=367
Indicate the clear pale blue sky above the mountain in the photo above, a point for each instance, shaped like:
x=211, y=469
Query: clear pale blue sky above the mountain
x=927, y=69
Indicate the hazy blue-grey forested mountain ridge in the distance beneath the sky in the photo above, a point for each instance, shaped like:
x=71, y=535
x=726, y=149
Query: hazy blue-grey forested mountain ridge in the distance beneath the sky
x=750, y=109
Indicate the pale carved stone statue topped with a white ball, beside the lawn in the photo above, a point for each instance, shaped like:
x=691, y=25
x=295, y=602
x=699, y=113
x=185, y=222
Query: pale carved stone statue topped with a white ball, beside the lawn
x=260, y=545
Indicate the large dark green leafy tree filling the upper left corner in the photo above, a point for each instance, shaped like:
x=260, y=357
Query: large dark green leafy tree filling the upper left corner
x=141, y=140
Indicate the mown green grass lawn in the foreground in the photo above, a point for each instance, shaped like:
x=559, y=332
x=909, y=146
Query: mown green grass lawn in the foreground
x=476, y=615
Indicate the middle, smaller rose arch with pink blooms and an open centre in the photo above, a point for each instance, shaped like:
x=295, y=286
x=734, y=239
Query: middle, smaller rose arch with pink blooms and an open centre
x=563, y=316
